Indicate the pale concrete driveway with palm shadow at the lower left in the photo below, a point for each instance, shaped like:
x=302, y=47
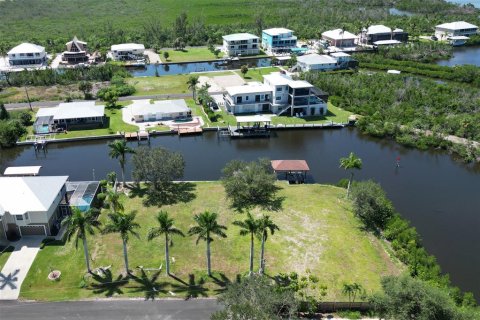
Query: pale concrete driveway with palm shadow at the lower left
x=17, y=266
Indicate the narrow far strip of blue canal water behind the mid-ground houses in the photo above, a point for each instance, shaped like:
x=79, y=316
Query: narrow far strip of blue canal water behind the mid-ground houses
x=185, y=68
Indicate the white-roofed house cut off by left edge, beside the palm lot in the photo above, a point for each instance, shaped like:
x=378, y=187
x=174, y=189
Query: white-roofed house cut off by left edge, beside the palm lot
x=29, y=205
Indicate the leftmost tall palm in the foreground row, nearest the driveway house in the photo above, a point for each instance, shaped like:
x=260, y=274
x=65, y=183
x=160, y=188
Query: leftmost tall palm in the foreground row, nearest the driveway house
x=78, y=224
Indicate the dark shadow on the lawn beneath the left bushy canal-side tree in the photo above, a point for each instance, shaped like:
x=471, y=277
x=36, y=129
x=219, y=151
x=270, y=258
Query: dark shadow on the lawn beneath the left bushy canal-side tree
x=170, y=193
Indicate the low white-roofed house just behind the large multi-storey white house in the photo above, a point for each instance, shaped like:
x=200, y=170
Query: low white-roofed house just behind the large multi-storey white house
x=316, y=62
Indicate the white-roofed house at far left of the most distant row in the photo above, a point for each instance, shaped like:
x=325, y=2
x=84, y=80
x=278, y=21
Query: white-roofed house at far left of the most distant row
x=27, y=54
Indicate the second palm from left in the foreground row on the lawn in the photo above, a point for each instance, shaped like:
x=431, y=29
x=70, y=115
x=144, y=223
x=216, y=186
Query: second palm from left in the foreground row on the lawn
x=125, y=225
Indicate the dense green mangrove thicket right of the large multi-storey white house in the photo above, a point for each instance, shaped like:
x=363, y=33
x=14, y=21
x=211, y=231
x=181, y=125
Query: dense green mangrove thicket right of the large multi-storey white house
x=416, y=112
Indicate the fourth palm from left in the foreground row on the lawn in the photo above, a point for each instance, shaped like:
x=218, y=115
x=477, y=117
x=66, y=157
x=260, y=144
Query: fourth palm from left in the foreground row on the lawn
x=207, y=225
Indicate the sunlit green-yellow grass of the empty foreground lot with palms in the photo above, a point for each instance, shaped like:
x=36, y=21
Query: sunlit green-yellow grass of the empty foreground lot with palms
x=318, y=233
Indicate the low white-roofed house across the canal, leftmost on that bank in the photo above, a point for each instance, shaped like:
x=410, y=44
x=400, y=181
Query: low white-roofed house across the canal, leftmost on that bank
x=68, y=116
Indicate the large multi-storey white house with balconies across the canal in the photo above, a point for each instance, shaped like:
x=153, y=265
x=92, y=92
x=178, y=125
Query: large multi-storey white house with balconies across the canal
x=279, y=94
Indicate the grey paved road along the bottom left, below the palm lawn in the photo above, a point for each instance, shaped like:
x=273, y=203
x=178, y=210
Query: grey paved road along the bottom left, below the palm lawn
x=200, y=309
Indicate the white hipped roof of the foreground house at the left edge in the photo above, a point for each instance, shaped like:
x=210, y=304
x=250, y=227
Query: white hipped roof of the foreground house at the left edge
x=19, y=195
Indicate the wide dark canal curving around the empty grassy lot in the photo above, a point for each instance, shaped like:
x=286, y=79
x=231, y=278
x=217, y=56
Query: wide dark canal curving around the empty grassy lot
x=439, y=195
